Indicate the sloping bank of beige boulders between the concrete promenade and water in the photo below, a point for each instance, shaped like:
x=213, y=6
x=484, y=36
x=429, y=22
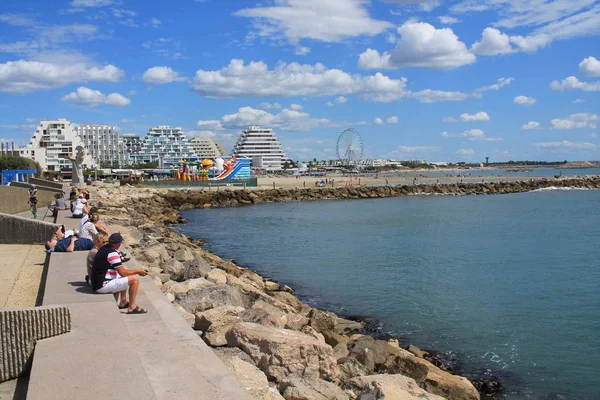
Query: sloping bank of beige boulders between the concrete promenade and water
x=276, y=345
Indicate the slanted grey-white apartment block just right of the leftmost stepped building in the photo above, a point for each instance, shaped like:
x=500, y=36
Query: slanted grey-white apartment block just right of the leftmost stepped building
x=103, y=143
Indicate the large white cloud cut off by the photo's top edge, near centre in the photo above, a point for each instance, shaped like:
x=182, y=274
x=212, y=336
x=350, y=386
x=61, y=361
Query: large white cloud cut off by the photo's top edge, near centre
x=324, y=20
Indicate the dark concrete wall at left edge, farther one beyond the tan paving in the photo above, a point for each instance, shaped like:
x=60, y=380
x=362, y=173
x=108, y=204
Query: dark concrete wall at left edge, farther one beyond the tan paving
x=19, y=230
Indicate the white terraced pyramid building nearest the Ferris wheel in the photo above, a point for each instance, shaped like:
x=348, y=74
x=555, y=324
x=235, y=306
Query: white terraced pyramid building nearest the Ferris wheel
x=262, y=144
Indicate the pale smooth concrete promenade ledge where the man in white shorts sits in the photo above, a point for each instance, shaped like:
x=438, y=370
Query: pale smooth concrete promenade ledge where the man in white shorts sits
x=110, y=354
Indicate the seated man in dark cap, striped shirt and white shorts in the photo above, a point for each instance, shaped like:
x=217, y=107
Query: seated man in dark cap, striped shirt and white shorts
x=110, y=276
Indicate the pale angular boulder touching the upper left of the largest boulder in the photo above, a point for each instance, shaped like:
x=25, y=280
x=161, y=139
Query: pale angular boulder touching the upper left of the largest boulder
x=216, y=322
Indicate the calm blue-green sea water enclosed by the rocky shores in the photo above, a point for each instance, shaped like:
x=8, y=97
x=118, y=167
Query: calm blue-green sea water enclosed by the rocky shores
x=510, y=282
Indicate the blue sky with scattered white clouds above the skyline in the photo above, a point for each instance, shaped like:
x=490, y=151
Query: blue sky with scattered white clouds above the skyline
x=434, y=79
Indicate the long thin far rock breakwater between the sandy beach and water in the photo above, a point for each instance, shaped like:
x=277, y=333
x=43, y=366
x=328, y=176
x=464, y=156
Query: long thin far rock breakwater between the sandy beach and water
x=227, y=198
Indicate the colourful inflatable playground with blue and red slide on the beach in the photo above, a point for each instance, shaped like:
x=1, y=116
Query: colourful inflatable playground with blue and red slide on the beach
x=218, y=169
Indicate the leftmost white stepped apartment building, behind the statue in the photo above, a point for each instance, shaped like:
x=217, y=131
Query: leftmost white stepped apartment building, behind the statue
x=53, y=143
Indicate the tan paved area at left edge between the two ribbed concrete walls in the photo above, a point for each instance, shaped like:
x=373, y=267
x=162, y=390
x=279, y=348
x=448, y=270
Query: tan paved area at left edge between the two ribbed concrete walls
x=20, y=274
